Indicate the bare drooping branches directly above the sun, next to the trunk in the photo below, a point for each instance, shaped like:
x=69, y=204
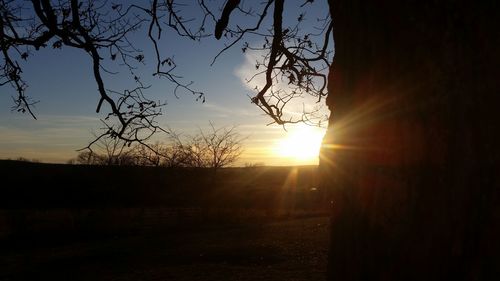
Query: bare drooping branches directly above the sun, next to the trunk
x=294, y=58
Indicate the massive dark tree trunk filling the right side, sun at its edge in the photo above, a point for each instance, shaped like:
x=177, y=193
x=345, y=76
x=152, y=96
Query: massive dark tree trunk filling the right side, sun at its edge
x=411, y=153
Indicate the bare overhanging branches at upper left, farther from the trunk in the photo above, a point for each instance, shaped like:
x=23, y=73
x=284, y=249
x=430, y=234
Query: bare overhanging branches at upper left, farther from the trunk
x=102, y=30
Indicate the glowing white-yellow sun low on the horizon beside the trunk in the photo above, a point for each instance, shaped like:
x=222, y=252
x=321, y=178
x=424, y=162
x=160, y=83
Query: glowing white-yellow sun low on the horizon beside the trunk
x=302, y=143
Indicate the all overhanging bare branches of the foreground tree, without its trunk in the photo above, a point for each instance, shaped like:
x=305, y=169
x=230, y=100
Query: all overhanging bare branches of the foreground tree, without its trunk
x=103, y=31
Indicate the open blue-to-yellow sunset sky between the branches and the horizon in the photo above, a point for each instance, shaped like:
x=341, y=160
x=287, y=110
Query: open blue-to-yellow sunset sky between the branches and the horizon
x=62, y=82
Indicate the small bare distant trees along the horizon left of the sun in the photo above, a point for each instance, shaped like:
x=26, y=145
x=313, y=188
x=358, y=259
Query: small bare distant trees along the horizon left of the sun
x=215, y=148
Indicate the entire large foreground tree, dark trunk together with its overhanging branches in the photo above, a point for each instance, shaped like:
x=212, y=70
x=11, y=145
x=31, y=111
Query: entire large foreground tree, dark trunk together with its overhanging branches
x=410, y=156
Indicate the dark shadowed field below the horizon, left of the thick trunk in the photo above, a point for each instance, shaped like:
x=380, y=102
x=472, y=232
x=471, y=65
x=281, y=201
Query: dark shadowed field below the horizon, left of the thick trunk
x=65, y=222
